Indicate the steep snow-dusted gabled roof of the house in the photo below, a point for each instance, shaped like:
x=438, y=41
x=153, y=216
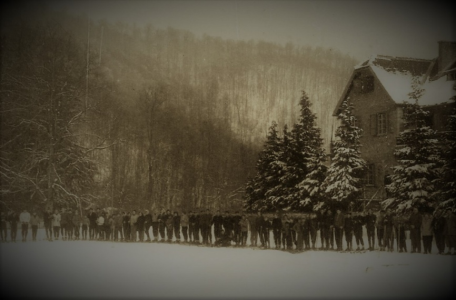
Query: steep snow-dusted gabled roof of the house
x=398, y=75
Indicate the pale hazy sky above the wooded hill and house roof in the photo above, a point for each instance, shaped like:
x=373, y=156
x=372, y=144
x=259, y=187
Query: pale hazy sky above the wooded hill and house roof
x=359, y=28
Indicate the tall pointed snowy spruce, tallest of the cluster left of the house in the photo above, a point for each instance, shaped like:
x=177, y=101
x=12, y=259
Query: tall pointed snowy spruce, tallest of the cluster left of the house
x=305, y=169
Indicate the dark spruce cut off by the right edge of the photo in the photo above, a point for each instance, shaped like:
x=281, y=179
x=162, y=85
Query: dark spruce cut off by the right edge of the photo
x=445, y=183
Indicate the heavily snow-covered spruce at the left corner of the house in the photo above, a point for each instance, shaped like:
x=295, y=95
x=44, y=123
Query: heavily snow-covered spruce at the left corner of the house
x=343, y=180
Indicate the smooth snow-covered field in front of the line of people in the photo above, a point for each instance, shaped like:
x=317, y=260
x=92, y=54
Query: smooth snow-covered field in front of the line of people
x=88, y=269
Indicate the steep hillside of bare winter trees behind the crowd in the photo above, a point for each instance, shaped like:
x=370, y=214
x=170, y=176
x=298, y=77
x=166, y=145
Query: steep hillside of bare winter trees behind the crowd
x=118, y=115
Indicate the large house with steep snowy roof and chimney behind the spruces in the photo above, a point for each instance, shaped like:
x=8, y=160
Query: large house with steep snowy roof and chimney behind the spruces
x=377, y=90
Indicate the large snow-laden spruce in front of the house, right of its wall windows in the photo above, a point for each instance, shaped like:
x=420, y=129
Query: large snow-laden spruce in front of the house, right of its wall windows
x=412, y=181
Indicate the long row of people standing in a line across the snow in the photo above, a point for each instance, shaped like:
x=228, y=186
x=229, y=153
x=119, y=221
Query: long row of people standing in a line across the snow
x=385, y=229
